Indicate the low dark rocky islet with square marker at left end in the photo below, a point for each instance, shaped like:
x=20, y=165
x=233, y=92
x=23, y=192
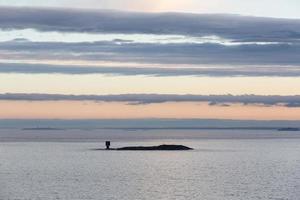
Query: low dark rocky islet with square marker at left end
x=163, y=147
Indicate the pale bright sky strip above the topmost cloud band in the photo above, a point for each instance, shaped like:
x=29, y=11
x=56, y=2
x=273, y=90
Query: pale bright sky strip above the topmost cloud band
x=267, y=8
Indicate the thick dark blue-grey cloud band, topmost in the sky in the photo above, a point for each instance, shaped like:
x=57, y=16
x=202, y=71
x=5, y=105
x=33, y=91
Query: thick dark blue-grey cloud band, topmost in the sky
x=70, y=20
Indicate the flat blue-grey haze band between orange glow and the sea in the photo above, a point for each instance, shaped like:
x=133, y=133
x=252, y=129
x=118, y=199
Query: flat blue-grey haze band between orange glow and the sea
x=146, y=124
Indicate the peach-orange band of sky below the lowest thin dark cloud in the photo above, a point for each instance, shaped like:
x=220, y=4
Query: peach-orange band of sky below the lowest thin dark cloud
x=115, y=110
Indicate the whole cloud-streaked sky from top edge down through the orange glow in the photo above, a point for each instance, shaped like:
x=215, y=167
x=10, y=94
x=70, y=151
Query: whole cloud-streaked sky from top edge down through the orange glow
x=64, y=60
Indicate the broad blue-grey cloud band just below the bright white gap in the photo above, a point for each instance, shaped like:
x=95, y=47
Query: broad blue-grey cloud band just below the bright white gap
x=186, y=53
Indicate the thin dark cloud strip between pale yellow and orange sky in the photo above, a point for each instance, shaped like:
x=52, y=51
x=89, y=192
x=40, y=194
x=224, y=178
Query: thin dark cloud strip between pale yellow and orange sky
x=223, y=100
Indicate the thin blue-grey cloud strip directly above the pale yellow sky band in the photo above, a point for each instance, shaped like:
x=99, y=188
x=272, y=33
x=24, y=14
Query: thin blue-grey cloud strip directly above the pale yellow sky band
x=283, y=71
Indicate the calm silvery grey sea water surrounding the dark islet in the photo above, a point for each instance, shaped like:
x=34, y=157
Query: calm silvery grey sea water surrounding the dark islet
x=225, y=165
